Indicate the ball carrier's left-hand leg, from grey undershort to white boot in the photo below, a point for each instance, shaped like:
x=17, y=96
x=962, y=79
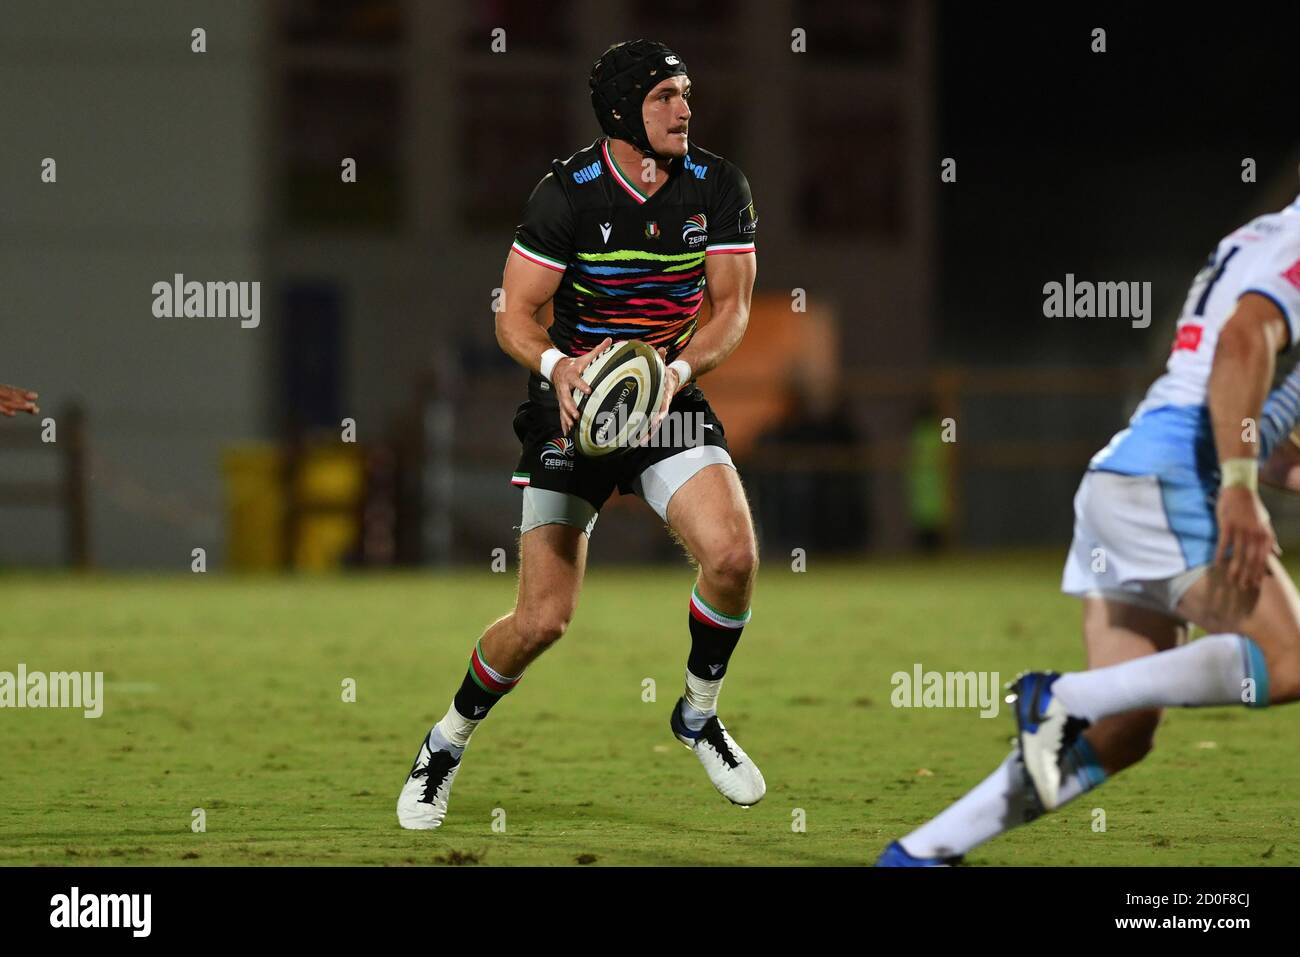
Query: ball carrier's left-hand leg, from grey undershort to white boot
x=553, y=561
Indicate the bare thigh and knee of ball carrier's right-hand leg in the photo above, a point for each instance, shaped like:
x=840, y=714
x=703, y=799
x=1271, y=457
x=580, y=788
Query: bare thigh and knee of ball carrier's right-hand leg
x=712, y=517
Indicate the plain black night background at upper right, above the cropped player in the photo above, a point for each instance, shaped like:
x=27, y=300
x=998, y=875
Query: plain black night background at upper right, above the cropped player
x=1124, y=164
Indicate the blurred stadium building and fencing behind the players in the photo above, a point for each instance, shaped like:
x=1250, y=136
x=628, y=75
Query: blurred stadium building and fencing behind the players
x=378, y=296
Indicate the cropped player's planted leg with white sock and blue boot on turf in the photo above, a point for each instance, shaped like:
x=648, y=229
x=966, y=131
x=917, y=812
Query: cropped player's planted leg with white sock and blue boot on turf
x=1113, y=633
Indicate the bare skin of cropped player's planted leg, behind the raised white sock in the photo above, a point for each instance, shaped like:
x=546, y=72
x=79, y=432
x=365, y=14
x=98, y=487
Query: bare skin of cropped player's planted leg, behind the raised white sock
x=1116, y=633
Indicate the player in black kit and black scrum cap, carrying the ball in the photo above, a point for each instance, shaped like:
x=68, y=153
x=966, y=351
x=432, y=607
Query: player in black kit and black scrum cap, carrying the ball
x=626, y=239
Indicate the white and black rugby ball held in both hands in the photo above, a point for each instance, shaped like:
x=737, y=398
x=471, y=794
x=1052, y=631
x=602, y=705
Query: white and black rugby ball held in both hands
x=627, y=389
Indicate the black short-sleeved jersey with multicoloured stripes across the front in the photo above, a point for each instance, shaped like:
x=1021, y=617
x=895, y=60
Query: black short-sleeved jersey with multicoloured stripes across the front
x=634, y=266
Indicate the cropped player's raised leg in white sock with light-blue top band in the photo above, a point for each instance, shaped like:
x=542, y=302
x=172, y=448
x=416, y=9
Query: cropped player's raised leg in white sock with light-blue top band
x=1251, y=659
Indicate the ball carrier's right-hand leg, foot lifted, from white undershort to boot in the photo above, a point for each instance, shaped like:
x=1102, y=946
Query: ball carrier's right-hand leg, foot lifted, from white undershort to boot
x=700, y=496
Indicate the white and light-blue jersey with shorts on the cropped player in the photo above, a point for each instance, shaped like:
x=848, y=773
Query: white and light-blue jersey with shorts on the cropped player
x=1145, y=514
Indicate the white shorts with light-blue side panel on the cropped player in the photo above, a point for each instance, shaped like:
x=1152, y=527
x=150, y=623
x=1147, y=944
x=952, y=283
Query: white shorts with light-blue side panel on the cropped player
x=1139, y=540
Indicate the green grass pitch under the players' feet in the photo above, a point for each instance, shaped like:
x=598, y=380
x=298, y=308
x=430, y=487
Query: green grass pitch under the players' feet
x=226, y=695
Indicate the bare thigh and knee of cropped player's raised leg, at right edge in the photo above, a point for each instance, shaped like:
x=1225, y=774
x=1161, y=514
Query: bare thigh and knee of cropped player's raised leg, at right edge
x=1269, y=617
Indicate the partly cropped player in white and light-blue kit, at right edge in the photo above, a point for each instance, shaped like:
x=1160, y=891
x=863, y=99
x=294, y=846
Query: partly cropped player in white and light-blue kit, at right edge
x=1169, y=530
